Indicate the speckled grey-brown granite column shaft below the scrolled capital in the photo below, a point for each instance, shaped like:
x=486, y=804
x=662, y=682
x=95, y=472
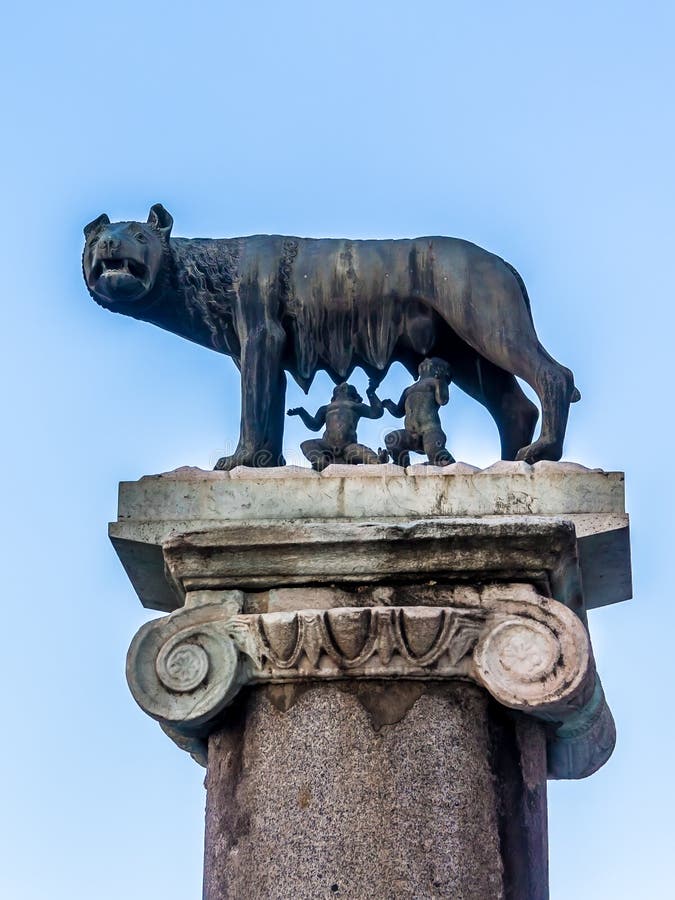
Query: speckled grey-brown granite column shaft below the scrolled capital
x=403, y=810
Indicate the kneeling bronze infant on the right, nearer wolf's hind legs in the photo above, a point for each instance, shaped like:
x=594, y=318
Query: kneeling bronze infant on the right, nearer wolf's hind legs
x=420, y=404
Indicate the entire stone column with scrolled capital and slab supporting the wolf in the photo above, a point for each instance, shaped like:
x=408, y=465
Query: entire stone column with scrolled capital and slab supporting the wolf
x=379, y=667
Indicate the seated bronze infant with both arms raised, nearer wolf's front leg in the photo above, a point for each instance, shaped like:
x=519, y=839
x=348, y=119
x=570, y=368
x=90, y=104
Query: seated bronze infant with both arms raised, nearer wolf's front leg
x=339, y=443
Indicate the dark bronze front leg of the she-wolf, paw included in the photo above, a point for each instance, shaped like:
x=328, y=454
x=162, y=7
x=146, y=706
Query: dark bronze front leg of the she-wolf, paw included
x=263, y=396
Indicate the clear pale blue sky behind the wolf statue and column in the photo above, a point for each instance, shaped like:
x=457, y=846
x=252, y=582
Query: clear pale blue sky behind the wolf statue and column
x=542, y=131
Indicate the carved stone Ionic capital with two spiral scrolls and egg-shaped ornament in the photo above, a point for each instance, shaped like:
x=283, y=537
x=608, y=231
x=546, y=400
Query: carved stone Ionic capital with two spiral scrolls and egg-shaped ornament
x=530, y=653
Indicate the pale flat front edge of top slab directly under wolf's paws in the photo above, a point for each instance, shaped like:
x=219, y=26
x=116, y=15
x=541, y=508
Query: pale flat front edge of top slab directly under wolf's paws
x=505, y=488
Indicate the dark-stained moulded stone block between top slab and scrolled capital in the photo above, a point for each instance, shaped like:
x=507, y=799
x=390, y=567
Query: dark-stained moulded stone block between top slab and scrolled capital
x=263, y=556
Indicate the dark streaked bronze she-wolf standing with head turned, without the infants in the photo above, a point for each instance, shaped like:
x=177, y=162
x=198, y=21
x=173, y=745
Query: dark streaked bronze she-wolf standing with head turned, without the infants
x=280, y=304
